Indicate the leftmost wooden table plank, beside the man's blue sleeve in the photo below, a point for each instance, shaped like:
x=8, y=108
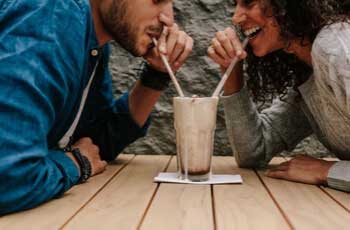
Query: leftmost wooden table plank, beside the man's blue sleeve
x=54, y=214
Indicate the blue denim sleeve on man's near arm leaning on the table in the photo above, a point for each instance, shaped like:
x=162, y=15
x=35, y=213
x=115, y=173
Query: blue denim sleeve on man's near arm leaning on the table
x=32, y=83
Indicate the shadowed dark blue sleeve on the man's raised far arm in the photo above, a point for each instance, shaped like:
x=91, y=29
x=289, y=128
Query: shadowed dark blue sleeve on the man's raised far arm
x=106, y=120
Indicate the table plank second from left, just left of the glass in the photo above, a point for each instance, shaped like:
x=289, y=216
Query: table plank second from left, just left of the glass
x=123, y=202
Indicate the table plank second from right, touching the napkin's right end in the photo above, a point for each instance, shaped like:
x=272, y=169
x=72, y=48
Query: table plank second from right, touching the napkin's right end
x=244, y=206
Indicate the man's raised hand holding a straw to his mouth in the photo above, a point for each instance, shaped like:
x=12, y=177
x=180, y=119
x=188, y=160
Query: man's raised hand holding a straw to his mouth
x=173, y=43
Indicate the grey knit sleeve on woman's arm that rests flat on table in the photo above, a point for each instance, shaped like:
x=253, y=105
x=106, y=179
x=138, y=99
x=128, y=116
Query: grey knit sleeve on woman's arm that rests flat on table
x=331, y=57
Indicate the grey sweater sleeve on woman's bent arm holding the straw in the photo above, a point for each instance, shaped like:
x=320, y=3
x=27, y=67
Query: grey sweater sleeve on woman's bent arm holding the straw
x=257, y=137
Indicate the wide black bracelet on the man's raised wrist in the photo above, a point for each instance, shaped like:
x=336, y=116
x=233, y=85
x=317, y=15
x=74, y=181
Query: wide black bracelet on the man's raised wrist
x=154, y=79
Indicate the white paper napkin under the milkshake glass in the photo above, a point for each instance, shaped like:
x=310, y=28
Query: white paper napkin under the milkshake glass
x=215, y=179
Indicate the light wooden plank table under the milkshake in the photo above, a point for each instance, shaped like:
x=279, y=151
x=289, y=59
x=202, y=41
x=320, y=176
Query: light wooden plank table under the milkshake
x=125, y=197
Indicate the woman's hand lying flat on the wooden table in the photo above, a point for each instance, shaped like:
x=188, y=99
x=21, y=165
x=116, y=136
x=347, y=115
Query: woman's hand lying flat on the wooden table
x=304, y=169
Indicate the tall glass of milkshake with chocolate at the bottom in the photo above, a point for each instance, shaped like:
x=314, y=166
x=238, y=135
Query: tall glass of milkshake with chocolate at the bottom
x=195, y=123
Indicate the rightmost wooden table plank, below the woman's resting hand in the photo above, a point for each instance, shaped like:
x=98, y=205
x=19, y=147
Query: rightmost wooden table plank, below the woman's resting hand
x=306, y=206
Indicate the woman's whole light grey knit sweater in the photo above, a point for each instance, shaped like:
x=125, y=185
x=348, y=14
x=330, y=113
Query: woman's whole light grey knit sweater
x=323, y=109
